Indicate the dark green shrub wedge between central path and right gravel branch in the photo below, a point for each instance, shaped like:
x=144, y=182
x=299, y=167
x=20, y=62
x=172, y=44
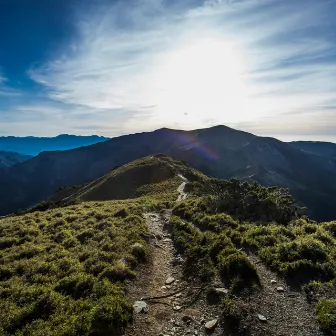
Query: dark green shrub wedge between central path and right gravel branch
x=208, y=253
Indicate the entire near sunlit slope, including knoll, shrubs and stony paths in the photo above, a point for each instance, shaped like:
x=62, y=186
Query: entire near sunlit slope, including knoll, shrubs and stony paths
x=78, y=269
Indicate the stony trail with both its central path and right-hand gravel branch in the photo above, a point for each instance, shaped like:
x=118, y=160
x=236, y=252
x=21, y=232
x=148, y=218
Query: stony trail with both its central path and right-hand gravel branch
x=167, y=304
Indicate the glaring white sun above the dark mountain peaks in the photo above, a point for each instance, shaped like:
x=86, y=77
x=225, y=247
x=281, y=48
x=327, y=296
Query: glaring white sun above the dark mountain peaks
x=201, y=81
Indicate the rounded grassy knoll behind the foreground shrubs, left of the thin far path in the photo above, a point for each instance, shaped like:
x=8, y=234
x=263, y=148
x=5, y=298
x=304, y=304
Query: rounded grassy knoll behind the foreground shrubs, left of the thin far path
x=154, y=176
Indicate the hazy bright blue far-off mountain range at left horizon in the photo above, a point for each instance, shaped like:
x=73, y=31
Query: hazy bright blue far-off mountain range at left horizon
x=34, y=145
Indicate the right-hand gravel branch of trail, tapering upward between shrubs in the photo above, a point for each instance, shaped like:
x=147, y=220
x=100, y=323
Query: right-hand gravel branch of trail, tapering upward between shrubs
x=286, y=310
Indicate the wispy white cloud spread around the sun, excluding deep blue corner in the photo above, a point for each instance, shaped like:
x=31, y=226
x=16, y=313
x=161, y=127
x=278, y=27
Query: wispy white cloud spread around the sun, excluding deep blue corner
x=117, y=73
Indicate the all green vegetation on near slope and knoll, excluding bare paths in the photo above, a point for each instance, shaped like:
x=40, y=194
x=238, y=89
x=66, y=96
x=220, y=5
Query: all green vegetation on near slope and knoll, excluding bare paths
x=63, y=271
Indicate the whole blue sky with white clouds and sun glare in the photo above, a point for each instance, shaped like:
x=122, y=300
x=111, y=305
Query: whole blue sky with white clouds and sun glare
x=111, y=67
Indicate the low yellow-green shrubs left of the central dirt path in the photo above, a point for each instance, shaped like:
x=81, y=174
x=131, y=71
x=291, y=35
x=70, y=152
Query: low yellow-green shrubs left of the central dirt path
x=63, y=271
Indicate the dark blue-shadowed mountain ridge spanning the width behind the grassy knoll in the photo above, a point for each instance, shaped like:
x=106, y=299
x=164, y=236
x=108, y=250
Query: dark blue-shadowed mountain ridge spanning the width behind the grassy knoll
x=218, y=151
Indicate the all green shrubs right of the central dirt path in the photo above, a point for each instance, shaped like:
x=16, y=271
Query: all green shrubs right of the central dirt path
x=264, y=221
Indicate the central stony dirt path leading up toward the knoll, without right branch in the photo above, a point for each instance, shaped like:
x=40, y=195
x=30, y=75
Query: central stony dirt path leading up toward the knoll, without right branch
x=182, y=314
